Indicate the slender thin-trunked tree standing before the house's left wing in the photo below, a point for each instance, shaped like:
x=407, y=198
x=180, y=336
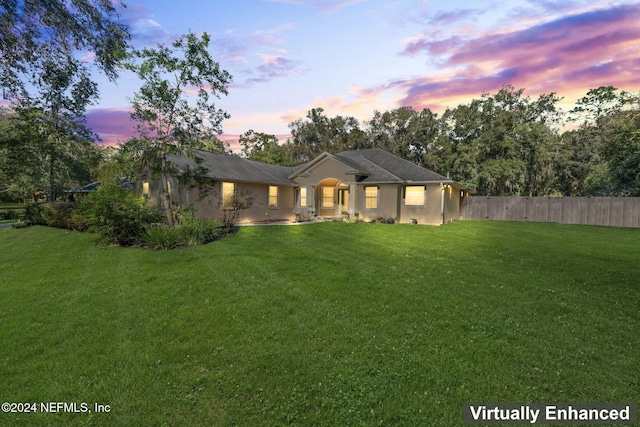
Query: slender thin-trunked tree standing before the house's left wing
x=166, y=120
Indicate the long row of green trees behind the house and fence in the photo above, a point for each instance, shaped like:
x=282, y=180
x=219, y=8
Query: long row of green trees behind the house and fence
x=505, y=143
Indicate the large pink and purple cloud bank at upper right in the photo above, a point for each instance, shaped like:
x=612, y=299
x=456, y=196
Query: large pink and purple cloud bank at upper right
x=565, y=55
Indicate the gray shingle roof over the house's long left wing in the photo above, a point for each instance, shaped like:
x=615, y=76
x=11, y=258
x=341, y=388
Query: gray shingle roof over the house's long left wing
x=233, y=168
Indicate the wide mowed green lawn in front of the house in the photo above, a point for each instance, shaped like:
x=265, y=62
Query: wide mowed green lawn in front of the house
x=327, y=324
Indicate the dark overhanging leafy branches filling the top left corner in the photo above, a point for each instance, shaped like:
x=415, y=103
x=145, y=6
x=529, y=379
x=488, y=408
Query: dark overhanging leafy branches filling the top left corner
x=38, y=33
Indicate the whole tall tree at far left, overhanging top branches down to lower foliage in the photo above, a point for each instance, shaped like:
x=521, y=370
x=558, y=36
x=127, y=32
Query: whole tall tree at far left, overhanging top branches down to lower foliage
x=50, y=86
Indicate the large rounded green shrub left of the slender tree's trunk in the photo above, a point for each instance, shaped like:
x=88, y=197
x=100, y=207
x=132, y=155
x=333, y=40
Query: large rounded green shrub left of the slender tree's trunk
x=118, y=214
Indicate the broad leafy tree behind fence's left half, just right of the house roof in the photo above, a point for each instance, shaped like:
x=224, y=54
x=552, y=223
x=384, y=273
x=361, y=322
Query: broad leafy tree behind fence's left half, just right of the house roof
x=503, y=144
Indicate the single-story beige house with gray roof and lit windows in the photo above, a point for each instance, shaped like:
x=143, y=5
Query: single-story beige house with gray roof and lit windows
x=365, y=184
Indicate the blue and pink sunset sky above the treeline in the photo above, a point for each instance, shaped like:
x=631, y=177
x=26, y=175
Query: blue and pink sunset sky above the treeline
x=353, y=57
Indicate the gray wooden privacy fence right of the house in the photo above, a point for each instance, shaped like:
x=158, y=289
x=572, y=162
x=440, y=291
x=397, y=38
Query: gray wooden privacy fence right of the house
x=608, y=211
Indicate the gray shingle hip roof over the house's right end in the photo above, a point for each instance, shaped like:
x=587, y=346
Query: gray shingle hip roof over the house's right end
x=382, y=166
